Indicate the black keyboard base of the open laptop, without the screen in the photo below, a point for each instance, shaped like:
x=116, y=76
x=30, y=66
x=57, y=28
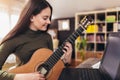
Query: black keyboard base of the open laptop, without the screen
x=82, y=74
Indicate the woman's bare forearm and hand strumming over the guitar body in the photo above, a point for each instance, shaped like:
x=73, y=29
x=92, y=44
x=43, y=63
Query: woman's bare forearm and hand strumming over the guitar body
x=29, y=76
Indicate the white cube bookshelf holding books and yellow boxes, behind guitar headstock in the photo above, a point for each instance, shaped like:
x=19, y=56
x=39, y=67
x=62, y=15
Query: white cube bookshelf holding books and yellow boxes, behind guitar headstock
x=105, y=22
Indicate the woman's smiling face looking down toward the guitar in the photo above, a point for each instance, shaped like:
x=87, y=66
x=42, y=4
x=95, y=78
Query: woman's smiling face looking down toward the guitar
x=41, y=20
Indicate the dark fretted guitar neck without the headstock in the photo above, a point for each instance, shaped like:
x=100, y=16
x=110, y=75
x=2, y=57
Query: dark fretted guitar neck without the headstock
x=52, y=60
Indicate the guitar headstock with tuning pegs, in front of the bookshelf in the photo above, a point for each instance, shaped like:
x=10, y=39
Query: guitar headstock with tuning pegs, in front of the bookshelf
x=87, y=20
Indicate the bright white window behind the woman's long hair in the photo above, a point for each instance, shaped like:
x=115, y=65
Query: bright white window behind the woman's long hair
x=7, y=22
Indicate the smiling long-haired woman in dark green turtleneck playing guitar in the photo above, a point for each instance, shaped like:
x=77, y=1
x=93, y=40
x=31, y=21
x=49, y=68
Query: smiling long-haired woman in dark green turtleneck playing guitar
x=27, y=36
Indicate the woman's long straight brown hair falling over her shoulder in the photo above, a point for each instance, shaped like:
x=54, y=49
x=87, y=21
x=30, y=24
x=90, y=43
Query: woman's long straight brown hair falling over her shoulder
x=33, y=7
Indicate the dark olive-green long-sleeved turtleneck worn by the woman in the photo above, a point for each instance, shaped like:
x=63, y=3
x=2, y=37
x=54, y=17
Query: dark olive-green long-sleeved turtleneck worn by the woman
x=23, y=46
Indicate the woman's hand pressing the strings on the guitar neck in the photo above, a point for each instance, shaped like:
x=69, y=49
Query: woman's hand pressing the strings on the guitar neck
x=67, y=53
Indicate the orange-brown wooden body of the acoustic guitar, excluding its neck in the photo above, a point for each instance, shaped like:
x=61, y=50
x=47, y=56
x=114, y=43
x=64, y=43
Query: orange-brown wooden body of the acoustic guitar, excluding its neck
x=39, y=57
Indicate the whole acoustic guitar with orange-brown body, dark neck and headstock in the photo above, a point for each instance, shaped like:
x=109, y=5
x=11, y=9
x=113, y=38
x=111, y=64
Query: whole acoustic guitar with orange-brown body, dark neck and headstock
x=47, y=62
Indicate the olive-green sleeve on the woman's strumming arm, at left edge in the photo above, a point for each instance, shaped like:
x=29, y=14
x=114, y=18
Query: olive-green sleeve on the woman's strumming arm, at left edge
x=5, y=50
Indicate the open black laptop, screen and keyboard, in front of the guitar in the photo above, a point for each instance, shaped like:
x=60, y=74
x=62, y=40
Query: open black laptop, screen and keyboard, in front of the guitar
x=109, y=68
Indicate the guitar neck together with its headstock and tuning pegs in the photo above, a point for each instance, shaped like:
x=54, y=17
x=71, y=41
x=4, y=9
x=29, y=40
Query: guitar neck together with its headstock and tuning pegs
x=52, y=60
